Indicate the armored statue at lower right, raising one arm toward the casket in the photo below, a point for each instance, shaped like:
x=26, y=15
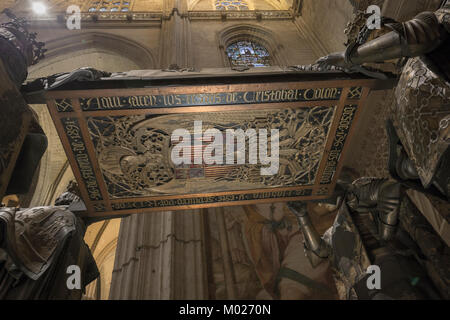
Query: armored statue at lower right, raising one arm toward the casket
x=378, y=225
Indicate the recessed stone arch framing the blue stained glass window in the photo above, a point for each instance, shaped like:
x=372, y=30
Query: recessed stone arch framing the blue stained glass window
x=254, y=33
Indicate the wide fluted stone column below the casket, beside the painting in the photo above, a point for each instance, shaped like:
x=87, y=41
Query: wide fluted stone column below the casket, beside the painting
x=160, y=255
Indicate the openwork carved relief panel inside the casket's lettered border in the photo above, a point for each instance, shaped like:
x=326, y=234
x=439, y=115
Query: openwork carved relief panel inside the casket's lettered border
x=134, y=152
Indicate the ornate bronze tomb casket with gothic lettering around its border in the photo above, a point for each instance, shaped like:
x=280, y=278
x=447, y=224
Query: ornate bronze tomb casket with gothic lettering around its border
x=117, y=133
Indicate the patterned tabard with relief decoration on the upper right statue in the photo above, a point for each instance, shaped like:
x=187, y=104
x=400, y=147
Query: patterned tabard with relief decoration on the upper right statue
x=421, y=113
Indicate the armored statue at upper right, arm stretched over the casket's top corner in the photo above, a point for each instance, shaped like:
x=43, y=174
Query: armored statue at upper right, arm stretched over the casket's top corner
x=419, y=125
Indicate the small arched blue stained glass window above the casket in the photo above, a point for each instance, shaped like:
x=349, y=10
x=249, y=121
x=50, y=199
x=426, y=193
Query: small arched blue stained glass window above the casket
x=248, y=53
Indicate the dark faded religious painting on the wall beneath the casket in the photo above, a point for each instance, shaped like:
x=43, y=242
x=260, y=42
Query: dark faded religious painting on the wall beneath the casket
x=261, y=256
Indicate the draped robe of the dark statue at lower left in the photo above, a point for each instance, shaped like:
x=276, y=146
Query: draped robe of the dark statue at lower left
x=37, y=247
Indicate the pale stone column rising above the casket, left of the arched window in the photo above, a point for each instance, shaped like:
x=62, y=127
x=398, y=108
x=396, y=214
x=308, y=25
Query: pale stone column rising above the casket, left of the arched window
x=175, y=39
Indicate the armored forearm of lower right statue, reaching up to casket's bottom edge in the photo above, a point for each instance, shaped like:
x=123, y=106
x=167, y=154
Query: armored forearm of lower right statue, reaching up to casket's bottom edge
x=315, y=247
